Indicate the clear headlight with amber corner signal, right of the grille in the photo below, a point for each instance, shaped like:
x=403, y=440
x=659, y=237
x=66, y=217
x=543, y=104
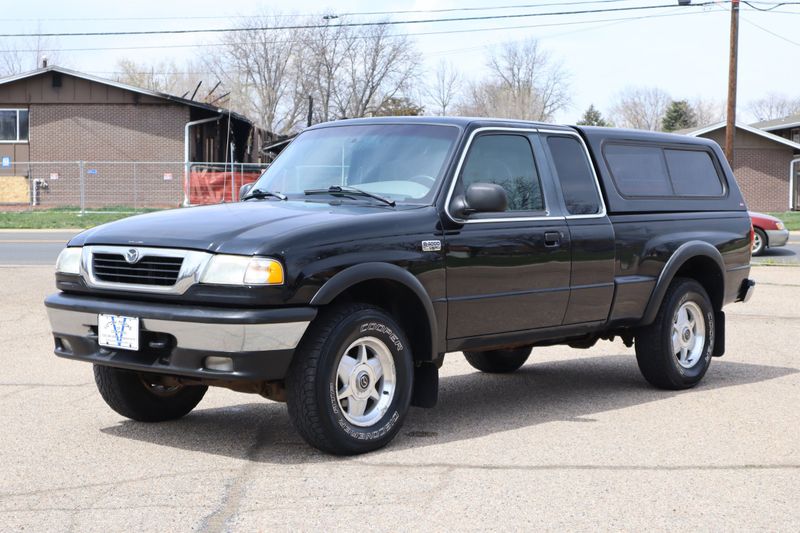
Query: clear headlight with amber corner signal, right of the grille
x=240, y=270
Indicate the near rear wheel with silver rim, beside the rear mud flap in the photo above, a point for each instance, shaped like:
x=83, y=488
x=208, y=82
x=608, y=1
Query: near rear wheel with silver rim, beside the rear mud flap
x=674, y=352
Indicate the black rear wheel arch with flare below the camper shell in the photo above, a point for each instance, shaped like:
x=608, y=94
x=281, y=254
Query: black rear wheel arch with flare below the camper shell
x=698, y=260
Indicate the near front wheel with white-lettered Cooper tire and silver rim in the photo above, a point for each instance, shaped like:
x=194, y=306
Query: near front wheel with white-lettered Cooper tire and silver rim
x=349, y=384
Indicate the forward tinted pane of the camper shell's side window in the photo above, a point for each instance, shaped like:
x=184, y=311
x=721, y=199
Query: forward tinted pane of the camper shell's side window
x=638, y=170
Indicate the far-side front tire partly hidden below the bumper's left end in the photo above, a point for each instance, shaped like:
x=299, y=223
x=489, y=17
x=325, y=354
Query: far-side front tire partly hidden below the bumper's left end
x=133, y=396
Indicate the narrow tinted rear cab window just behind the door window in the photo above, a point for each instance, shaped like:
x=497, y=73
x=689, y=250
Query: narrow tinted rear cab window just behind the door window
x=575, y=175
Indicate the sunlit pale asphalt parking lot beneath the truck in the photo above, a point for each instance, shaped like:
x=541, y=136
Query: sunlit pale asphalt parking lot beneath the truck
x=575, y=440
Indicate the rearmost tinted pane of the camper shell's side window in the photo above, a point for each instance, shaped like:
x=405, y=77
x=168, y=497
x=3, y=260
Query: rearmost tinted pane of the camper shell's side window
x=693, y=173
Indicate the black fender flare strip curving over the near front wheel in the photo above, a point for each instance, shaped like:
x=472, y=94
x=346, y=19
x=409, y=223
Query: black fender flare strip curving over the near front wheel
x=353, y=275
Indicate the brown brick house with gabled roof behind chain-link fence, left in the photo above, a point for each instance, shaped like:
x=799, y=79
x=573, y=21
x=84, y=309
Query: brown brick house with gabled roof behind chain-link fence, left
x=55, y=115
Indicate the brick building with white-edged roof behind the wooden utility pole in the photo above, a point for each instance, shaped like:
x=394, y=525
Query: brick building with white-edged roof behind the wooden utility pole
x=766, y=165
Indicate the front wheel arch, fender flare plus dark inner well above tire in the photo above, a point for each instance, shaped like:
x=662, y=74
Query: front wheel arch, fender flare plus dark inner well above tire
x=394, y=289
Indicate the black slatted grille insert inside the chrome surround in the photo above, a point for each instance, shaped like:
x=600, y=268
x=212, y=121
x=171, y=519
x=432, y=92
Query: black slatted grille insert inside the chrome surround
x=149, y=270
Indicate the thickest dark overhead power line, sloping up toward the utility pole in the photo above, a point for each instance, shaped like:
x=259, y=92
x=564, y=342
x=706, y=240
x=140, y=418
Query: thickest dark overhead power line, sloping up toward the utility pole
x=348, y=24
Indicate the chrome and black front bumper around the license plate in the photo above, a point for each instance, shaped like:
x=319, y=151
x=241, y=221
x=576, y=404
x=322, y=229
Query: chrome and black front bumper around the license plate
x=177, y=339
